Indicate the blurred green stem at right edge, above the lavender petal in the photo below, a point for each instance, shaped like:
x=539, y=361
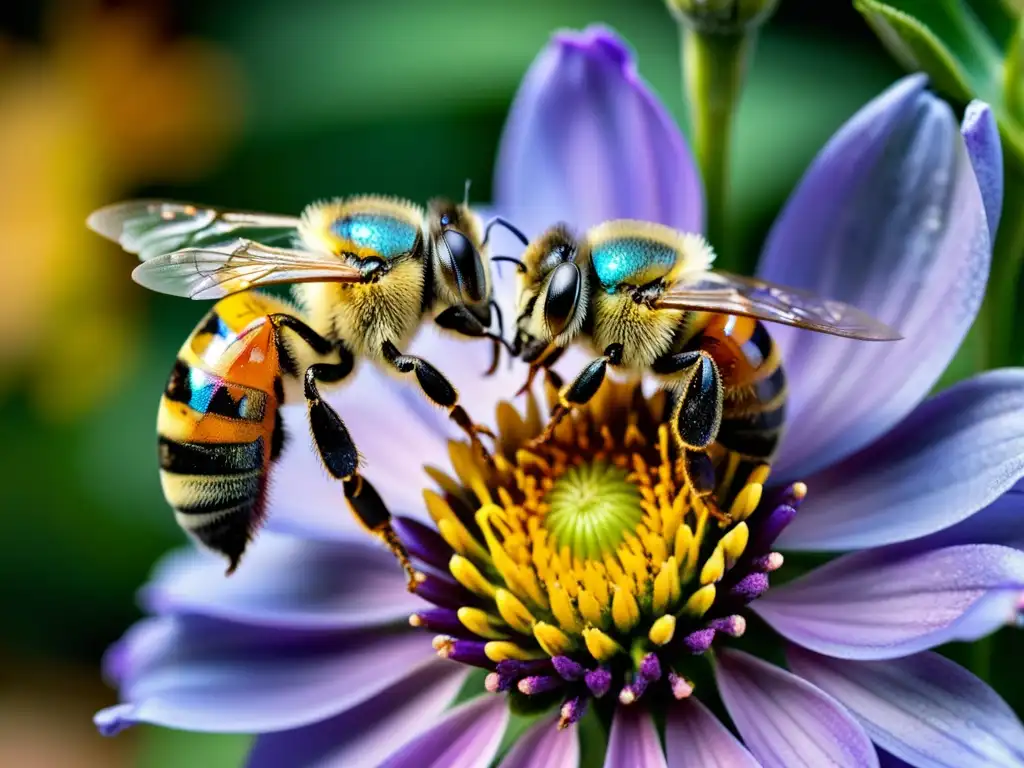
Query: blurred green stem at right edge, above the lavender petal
x=1000, y=313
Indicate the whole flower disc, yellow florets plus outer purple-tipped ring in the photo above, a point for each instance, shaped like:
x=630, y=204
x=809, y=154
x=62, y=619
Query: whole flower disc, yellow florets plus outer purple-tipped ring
x=583, y=566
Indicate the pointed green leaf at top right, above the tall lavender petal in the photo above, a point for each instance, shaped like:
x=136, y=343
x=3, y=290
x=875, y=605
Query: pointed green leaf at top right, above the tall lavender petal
x=917, y=48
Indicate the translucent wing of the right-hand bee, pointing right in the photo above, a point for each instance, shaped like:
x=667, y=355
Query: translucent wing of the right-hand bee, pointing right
x=734, y=294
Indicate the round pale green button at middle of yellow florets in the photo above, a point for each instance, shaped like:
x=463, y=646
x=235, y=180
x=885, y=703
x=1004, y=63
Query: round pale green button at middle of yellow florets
x=592, y=507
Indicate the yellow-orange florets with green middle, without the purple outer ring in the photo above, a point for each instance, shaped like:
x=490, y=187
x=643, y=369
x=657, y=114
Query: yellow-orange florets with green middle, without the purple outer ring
x=590, y=542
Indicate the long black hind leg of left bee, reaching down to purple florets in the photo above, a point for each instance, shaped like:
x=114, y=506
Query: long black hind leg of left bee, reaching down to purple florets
x=342, y=459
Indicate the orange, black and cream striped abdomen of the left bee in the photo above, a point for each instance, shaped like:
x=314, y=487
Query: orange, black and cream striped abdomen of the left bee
x=220, y=428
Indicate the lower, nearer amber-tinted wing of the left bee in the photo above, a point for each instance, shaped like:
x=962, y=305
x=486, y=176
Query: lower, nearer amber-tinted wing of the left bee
x=214, y=274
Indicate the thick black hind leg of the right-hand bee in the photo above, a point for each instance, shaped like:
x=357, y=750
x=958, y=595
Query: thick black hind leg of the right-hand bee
x=697, y=419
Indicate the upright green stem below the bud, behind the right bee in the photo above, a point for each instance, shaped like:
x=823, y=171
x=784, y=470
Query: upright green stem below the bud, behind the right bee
x=714, y=67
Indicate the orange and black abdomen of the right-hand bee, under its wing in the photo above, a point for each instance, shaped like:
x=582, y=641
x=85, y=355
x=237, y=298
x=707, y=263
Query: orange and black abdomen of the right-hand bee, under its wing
x=755, y=392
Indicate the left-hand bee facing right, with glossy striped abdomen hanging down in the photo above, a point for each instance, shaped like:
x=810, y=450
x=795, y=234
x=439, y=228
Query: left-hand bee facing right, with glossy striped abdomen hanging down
x=368, y=272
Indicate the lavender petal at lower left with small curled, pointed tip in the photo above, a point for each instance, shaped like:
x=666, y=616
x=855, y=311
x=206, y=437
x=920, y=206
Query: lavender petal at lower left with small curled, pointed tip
x=203, y=674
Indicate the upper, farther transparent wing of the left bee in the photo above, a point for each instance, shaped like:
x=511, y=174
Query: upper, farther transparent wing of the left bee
x=155, y=228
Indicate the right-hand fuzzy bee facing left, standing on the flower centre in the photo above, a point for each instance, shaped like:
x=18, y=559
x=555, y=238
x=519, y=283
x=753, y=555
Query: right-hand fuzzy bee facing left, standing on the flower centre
x=643, y=297
